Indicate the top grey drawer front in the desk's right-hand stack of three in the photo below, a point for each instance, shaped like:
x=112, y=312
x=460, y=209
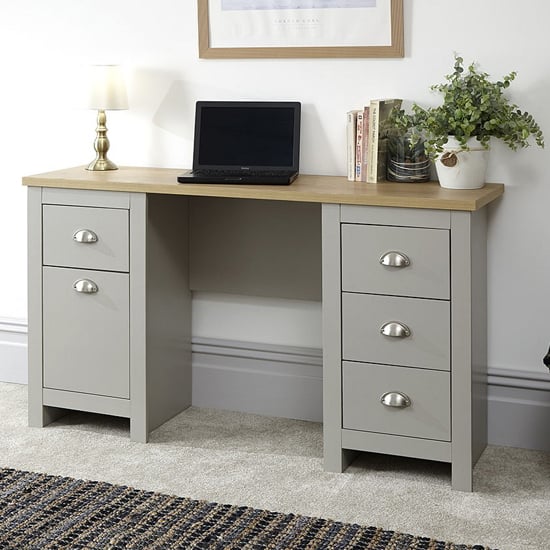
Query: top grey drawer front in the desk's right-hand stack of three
x=427, y=276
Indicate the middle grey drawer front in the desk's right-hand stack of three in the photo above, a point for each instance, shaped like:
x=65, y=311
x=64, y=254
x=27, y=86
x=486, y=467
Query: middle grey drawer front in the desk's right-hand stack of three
x=428, y=345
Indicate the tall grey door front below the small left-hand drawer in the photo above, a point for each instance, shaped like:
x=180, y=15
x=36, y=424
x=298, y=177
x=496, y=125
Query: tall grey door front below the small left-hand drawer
x=86, y=336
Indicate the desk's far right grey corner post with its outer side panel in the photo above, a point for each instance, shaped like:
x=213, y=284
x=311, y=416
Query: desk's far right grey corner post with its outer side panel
x=469, y=350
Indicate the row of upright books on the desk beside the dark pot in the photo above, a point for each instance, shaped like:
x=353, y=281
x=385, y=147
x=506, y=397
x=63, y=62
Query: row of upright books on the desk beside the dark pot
x=367, y=140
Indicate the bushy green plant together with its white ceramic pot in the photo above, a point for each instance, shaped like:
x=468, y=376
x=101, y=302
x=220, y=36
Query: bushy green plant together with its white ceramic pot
x=457, y=133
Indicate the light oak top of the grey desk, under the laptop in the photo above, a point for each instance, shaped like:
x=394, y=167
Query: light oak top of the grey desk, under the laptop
x=306, y=188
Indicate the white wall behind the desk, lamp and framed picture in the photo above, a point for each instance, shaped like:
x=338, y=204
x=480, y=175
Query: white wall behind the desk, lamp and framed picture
x=45, y=45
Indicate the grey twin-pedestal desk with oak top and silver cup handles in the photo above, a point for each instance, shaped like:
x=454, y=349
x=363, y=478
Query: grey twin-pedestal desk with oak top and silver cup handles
x=403, y=291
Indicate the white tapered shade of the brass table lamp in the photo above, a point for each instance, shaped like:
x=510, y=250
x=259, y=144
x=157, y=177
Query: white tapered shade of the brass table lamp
x=107, y=89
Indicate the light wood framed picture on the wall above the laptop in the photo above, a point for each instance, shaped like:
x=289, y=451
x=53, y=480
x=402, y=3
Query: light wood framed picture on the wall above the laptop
x=300, y=28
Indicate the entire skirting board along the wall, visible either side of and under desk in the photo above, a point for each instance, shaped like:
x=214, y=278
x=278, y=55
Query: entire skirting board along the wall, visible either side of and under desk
x=286, y=381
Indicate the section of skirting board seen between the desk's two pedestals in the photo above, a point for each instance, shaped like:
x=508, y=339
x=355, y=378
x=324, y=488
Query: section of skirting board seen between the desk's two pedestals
x=258, y=378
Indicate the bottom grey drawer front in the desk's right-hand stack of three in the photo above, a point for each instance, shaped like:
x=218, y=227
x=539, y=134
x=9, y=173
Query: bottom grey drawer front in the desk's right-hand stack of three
x=427, y=416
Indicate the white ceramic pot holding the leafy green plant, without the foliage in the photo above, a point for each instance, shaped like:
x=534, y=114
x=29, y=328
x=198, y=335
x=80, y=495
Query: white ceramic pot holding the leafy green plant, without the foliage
x=457, y=169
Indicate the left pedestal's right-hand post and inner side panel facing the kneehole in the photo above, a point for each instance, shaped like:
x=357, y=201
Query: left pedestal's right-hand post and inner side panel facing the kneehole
x=160, y=312
